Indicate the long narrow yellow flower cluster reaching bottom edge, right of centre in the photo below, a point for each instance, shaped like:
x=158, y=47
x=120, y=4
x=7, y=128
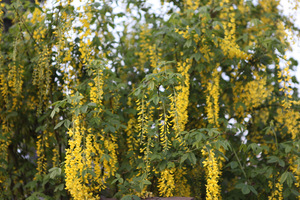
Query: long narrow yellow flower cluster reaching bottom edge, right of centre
x=212, y=175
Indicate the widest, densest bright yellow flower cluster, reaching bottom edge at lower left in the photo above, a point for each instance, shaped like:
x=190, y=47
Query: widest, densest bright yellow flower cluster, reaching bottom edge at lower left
x=78, y=163
